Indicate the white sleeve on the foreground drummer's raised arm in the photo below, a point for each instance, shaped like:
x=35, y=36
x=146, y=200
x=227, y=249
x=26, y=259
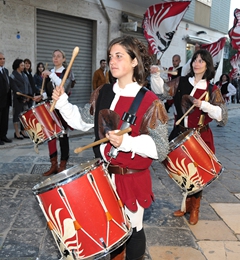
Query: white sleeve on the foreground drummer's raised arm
x=71, y=114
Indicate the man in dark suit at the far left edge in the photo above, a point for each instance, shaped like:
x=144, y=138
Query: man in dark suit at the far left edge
x=6, y=101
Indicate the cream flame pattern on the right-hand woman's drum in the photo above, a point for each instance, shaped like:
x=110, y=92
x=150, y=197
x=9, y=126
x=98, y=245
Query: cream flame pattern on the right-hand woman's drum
x=185, y=174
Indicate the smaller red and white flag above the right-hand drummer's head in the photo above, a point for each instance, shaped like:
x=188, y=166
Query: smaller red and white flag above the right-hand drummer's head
x=216, y=50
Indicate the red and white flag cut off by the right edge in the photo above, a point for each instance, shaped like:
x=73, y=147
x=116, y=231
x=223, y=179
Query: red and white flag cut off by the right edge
x=234, y=32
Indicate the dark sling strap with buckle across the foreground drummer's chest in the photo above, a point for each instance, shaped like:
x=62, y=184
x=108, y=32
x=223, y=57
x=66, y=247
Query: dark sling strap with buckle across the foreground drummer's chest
x=129, y=117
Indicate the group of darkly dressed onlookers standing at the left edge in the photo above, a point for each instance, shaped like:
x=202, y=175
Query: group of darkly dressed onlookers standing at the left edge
x=13, y=87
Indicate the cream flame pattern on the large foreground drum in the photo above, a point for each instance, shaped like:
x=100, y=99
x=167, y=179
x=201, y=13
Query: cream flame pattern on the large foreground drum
x=64, y=234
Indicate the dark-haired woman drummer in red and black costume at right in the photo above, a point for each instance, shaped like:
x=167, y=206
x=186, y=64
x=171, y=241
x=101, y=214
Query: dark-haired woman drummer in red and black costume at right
x=185, y=92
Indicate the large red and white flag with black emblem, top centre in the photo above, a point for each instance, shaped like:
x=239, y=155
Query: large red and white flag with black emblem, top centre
x=160, y=24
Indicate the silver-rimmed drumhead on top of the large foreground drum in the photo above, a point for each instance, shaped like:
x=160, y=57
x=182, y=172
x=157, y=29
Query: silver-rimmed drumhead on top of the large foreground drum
x=65, y=176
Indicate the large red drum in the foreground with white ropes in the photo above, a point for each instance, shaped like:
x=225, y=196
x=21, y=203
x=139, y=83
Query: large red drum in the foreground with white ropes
x=83, y=212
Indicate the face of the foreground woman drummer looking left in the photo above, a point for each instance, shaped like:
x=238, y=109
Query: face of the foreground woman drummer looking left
x=120, y=63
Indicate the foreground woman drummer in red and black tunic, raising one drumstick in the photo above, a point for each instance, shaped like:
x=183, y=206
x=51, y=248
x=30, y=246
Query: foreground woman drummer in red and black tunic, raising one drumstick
x=129, y=63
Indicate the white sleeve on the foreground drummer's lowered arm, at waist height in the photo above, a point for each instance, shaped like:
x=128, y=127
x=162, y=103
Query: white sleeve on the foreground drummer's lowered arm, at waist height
x=142, y=145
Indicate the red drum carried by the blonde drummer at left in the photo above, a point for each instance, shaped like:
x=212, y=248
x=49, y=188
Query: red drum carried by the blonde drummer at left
x=41, y=124
